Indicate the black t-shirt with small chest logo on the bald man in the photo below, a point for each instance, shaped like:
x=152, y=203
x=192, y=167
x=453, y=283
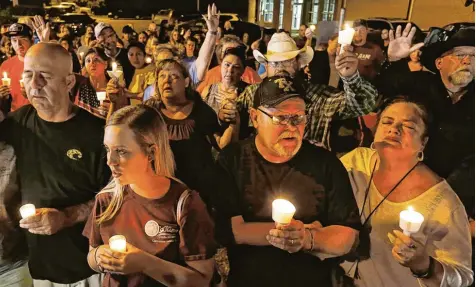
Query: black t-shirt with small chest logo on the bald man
x=59, y=165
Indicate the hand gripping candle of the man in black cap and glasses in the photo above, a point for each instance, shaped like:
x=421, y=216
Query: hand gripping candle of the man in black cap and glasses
x=290, y=238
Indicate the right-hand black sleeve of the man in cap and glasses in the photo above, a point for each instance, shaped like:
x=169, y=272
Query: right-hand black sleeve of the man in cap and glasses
x=341, y=208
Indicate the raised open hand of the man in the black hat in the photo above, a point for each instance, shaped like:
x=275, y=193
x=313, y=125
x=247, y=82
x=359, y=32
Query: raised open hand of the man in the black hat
x=400, y=45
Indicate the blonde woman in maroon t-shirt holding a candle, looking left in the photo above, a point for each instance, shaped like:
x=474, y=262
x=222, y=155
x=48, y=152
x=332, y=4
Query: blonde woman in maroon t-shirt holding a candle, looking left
x=168, y=230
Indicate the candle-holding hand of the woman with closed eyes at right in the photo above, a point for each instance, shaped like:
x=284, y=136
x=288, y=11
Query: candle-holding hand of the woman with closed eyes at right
x=410, y=253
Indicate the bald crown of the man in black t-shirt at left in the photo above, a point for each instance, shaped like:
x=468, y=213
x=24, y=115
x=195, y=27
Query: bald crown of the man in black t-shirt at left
x=51, y=54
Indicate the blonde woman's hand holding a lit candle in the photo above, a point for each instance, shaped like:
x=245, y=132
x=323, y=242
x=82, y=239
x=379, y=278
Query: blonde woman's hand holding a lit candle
x=129, y=262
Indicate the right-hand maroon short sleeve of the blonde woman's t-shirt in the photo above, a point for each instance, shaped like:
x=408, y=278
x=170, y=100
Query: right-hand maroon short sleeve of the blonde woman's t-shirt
x=196, y=230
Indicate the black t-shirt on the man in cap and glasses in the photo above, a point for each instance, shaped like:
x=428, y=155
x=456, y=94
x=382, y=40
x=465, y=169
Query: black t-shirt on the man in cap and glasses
x=316, y=183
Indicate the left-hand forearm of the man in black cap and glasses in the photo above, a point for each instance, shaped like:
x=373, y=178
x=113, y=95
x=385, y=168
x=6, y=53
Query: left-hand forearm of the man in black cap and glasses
x=250, y=233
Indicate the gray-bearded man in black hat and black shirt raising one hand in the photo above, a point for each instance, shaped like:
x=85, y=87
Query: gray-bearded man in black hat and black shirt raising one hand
x=448, y=91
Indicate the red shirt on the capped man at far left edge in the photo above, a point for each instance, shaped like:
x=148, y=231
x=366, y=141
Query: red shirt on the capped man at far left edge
x=14, y=69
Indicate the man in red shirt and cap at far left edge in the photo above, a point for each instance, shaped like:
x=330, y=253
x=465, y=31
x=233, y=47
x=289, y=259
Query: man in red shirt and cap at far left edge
x=21, y=36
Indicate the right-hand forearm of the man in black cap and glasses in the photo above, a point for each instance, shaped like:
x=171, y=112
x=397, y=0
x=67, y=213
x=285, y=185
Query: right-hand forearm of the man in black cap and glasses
x=333, y=240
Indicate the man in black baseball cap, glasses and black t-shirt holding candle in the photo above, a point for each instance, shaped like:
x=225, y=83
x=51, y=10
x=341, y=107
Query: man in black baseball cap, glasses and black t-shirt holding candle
x=277, y=163
